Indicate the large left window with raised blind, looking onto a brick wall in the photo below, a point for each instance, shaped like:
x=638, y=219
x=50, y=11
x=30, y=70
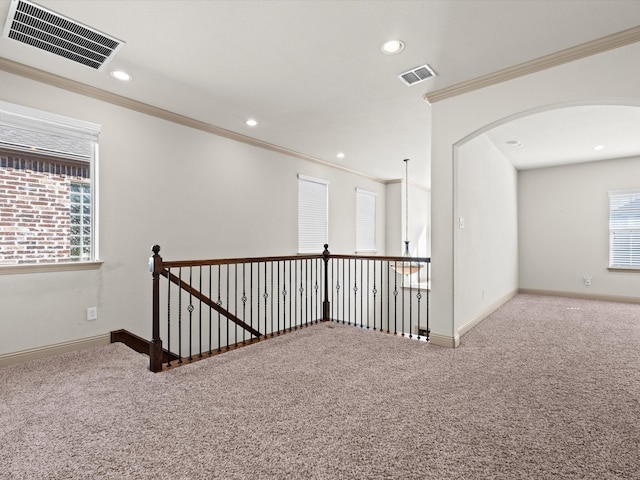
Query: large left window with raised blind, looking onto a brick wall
x=47, y=187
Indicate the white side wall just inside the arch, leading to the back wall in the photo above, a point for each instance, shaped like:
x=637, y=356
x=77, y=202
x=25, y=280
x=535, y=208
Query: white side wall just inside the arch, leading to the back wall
x=486, y=243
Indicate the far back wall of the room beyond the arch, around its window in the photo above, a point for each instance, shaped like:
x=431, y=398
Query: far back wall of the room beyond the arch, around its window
x=564, y=232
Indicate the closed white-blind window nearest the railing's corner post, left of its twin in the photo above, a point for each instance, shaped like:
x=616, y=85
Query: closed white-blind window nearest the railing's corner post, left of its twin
x=313, y=214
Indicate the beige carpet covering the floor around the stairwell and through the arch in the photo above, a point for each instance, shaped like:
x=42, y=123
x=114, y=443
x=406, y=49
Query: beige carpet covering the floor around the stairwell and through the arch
x=544, y=388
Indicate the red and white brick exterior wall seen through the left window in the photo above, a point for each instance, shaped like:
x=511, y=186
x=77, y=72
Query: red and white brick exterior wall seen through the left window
x=35, y=208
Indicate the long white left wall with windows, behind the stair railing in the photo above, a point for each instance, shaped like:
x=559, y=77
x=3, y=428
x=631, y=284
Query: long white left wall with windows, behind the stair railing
x=195, y=194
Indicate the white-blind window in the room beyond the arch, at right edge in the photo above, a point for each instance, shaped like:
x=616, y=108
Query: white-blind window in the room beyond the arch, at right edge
x=624, y=229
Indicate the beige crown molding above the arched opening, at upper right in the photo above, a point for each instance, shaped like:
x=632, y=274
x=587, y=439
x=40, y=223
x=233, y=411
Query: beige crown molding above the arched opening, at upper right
x=600, y=45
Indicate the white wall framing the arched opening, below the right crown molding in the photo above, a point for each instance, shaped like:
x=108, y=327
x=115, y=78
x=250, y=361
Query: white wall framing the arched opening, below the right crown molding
x=609, y=76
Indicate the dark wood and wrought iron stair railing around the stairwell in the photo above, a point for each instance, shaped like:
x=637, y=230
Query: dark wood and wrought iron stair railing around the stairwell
x=205, y=307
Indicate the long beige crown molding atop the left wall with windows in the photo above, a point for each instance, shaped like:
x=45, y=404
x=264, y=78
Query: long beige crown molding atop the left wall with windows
x=58, y=81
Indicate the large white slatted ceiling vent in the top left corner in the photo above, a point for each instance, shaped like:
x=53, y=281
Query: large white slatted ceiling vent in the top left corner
x=41, y=28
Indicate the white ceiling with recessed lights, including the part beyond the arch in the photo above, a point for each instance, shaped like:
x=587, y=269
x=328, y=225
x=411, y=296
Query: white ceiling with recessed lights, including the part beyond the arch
x=313, y=75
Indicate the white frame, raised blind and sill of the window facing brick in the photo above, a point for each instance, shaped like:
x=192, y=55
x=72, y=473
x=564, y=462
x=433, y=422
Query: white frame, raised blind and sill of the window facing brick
x=37, y=123
